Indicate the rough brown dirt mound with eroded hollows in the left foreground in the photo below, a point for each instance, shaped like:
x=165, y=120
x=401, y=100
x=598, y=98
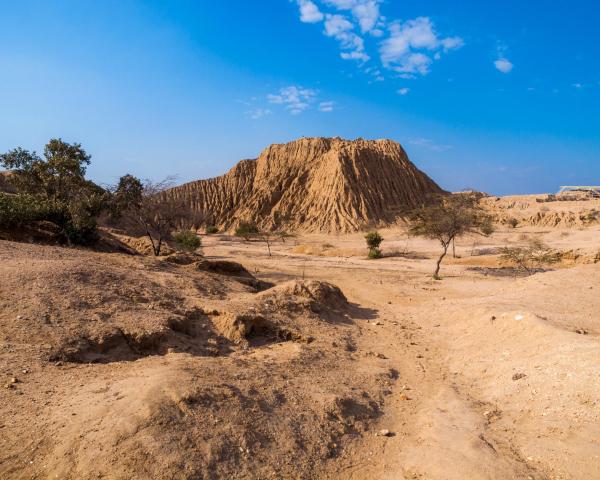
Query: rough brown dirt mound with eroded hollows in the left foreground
x=135, y=367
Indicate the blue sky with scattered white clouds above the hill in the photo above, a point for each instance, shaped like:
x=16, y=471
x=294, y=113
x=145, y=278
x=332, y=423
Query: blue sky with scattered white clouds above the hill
x=499, y=96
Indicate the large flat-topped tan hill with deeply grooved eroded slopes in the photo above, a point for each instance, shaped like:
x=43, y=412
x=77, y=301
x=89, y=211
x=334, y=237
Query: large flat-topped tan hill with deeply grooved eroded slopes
x=313, y=184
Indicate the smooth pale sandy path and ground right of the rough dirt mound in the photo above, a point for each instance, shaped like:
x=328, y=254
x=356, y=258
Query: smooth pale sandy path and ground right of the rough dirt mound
x=494, y=383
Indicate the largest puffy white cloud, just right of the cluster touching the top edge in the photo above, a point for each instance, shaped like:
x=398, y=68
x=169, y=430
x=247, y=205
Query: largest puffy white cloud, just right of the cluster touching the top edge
x=407, y=50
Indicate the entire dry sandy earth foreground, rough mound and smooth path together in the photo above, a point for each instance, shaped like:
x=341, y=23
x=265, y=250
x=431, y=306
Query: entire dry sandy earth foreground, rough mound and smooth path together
x=130, y=367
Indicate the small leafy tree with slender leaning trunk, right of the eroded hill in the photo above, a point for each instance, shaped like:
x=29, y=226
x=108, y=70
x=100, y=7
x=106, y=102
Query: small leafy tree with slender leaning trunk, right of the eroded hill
x=448, y=217
